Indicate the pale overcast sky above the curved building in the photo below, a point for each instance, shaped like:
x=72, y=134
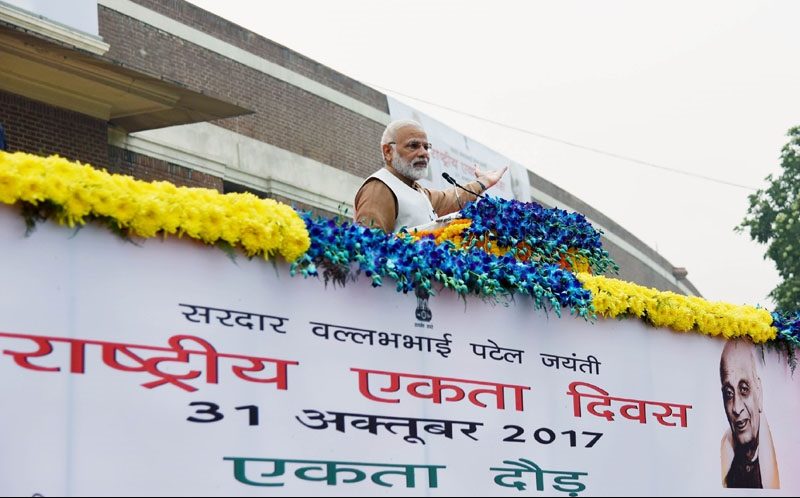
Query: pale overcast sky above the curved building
x=708, y=87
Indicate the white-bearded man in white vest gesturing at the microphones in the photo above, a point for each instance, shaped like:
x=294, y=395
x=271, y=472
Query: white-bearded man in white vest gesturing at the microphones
x=391, y=198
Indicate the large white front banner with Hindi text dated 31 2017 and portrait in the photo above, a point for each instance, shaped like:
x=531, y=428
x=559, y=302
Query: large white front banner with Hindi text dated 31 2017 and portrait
x=166, y=368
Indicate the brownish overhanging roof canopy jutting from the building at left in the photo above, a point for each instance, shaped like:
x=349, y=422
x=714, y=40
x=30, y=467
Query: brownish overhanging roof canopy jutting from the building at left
x=65, y=76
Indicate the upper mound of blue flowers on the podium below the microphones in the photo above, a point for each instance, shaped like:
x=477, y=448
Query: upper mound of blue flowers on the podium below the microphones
x=532, y=232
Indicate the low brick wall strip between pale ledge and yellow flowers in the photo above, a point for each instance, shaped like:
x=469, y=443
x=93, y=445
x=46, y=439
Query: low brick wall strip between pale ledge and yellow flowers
x=148, y=168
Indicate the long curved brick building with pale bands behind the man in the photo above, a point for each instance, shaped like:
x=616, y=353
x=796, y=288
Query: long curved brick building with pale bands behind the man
x=161, y=89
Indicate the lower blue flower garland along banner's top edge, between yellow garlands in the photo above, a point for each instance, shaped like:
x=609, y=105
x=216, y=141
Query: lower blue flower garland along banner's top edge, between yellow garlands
x=415, y=265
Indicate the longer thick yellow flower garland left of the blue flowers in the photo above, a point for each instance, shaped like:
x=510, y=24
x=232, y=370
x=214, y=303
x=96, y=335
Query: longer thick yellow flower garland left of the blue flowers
x=73, y=193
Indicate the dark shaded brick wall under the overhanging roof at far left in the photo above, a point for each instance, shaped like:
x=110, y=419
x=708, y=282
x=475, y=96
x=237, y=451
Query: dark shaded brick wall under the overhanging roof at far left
x=38, y=128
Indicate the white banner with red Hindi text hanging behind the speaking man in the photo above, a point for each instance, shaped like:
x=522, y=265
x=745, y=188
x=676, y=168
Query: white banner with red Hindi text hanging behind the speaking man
x=457, y=155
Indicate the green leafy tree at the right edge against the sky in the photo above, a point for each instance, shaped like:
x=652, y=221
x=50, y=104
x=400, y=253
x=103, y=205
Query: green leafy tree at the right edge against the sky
x=773, y=218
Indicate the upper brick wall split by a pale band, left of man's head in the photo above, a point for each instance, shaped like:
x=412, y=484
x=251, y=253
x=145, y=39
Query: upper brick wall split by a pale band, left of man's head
x=285, y=116
